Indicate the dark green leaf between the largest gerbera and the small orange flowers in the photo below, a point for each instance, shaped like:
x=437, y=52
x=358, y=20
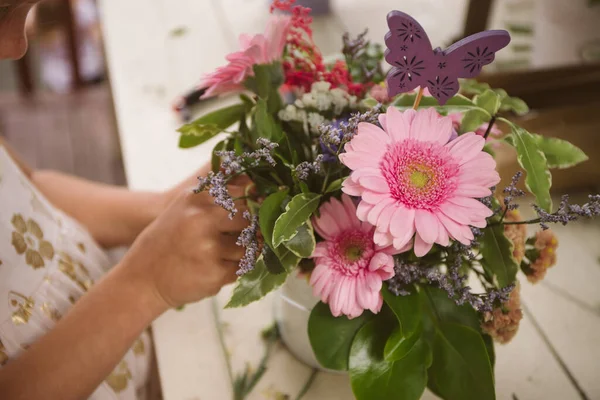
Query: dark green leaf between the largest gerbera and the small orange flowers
x=497, y=252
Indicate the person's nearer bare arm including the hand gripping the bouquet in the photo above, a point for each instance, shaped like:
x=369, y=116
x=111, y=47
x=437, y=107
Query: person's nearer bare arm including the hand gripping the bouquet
x=183, y=256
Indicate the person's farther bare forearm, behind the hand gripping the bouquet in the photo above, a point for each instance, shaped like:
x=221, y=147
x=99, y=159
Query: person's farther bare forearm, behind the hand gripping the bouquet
x=113, y=215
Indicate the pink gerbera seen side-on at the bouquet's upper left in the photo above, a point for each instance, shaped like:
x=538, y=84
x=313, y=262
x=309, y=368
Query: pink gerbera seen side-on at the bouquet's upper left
x=254, y=49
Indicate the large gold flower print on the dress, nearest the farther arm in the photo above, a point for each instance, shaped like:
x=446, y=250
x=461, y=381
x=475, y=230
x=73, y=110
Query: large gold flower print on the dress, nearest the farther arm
x=28, y=239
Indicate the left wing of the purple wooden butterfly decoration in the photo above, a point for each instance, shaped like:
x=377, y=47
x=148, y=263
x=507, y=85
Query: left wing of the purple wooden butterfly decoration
x=409, y=52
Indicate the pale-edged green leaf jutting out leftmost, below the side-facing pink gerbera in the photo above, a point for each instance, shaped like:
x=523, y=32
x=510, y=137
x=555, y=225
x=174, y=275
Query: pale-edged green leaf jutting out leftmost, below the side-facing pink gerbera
x=209, y=125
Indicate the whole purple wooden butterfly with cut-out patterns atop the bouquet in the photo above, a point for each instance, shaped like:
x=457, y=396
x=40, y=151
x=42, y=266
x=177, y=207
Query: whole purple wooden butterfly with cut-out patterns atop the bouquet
x=415, y=63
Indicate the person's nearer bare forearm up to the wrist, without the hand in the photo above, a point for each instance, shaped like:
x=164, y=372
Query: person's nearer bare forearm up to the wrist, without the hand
x=86, y=345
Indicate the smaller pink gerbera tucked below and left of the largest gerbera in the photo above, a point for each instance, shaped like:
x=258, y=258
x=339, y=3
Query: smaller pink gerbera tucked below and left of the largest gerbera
x=350, y=268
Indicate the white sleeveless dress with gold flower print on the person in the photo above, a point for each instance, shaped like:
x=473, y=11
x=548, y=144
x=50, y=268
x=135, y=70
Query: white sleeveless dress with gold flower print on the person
x=47, y=262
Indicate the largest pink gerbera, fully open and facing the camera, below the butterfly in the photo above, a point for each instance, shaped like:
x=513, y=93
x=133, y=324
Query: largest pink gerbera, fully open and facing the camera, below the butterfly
x=415, y=182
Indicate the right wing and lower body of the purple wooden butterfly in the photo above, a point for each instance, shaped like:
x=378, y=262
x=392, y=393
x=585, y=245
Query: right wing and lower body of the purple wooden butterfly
x=464, y=59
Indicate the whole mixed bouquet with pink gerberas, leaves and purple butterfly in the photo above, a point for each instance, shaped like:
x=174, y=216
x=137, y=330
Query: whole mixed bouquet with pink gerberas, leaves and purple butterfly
x=379, y=189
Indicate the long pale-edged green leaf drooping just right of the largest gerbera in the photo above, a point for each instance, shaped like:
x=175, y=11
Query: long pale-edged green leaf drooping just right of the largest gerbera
x=533, y=161
